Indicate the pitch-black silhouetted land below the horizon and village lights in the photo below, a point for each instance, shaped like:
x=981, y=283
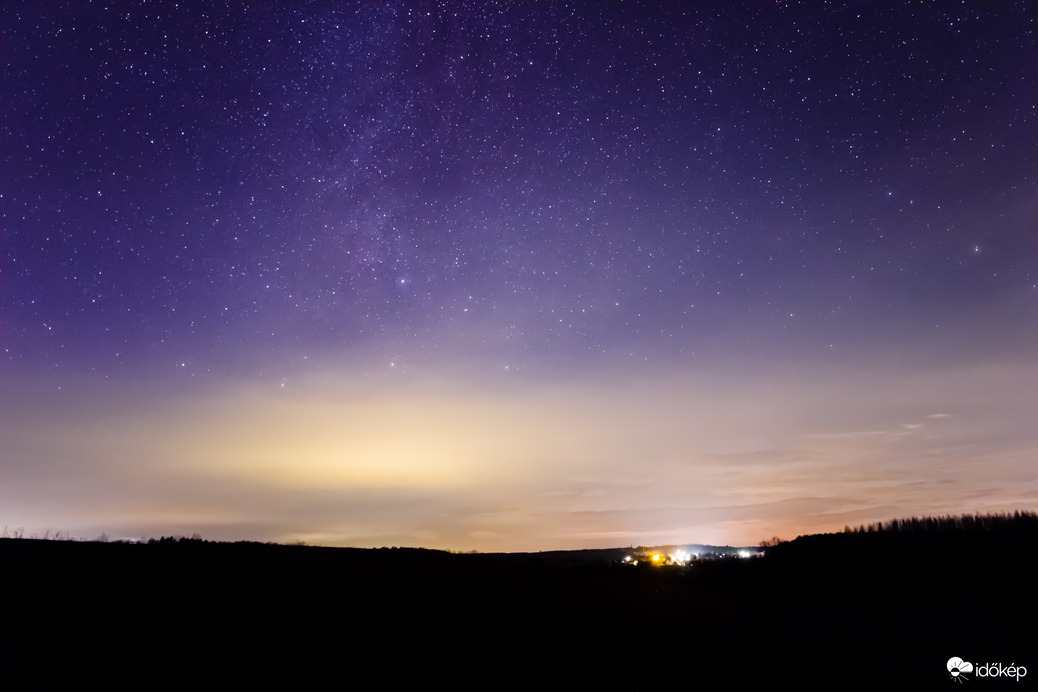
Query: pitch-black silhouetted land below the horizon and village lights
x=840, y=612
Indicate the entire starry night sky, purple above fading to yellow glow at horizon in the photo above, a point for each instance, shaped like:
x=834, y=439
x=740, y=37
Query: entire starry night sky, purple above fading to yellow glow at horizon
x=515, y=275
